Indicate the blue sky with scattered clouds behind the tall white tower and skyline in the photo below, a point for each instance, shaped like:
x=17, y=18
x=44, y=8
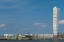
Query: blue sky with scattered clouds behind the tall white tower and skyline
x=29, y=16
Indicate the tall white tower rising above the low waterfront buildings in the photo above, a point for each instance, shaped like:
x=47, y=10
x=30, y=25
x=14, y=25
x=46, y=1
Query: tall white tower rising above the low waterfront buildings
x=55, y=20
